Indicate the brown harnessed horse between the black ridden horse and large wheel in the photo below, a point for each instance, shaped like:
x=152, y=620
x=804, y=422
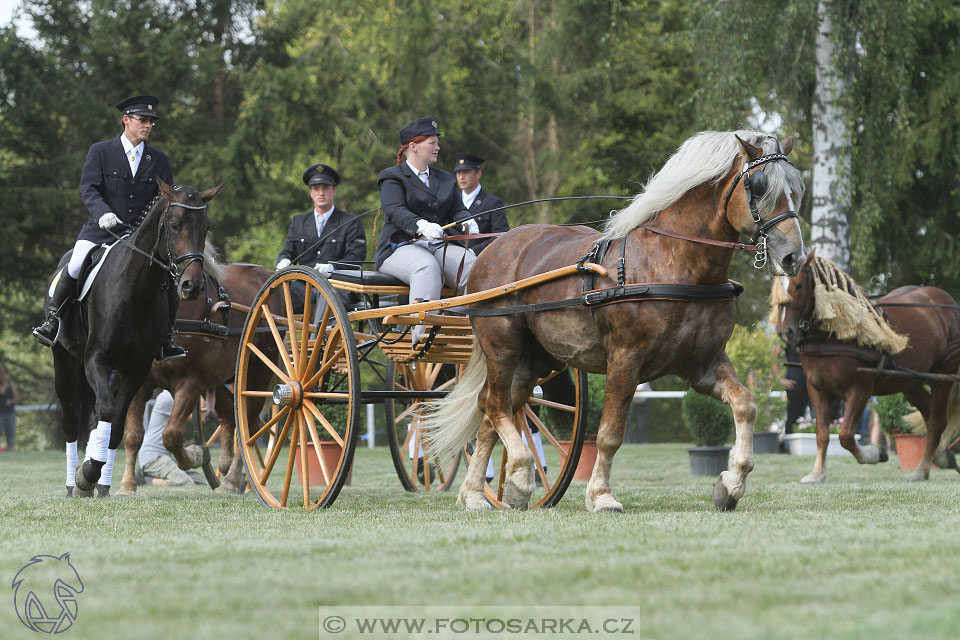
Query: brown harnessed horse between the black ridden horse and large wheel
x=210, y=362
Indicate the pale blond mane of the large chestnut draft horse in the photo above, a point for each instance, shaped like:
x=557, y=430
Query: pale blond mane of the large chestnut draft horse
x=705, y=157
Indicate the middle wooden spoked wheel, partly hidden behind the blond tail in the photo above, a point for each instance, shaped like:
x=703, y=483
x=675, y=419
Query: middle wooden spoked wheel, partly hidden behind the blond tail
x=416, y=471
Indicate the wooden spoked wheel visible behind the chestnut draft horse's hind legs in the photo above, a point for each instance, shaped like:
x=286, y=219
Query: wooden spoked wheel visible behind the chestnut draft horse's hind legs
x=561, y=427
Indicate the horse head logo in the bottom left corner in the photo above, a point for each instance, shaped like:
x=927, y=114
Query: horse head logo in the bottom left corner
x=45, y=593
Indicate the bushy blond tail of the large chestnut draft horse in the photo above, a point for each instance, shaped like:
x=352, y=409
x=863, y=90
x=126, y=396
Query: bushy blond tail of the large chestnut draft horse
x=449, y=424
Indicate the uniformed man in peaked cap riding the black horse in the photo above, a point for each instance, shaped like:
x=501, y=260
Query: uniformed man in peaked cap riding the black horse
x=118, y=183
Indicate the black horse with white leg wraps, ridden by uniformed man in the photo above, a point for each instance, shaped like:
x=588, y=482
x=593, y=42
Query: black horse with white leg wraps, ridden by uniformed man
x=120, y=324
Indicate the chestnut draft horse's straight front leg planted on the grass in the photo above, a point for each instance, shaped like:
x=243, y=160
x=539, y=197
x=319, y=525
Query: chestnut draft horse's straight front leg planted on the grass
x=621, y=384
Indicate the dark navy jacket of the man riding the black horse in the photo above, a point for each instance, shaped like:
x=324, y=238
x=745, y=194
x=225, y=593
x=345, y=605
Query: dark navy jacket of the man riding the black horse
x=106, y=185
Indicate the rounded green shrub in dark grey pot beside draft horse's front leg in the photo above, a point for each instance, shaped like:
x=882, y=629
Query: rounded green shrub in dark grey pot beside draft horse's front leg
x=710, y=422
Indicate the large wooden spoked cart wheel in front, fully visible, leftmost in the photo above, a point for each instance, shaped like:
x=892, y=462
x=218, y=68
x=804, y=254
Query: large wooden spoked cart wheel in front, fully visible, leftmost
x=315, y=385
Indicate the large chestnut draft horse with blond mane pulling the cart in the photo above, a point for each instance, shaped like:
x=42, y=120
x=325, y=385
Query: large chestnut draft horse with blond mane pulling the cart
x=680, y=230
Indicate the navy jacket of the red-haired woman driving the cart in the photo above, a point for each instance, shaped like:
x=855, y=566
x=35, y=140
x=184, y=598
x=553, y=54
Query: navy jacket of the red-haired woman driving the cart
x=405, y=200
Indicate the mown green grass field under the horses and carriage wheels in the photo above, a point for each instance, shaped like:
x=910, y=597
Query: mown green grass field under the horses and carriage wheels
x=867, y=555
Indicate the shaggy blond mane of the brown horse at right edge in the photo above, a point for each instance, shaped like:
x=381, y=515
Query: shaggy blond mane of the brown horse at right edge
x=842, y=308
